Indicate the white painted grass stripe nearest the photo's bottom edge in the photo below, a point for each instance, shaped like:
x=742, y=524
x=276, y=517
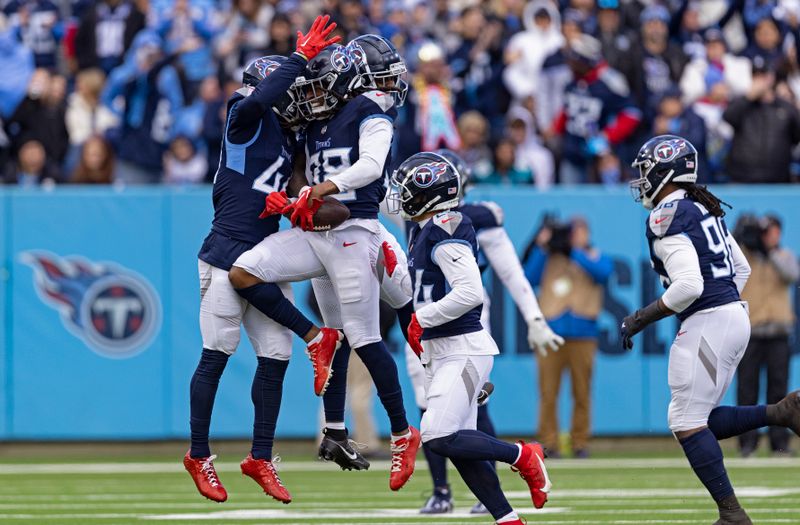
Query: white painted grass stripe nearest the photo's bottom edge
x=279, y=514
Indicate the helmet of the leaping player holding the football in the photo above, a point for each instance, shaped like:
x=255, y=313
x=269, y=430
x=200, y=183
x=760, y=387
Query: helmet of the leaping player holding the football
x=325, y=83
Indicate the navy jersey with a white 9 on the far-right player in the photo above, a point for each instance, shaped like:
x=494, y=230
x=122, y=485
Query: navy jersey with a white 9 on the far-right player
x=709, y=238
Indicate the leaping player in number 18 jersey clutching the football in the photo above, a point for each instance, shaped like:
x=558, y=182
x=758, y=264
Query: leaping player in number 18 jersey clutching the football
x=347, y=151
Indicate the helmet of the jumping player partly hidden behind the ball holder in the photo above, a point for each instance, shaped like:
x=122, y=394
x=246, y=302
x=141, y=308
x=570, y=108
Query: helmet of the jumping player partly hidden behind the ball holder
x=379, y=66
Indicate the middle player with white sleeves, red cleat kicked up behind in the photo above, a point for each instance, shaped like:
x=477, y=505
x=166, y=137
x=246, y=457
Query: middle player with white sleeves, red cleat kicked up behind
x=446, y=333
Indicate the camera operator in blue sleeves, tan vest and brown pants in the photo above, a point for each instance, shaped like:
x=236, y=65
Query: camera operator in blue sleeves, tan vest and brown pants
x=570, y=274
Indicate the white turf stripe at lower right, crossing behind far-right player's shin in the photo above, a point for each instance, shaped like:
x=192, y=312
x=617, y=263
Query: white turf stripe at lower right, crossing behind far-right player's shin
x=623, y=493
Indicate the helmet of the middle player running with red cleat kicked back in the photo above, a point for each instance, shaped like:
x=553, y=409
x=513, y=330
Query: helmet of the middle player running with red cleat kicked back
x=425, y=182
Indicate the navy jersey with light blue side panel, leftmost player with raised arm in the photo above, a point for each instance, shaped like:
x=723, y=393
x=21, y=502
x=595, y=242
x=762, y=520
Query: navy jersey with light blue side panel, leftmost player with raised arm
x=256, y=159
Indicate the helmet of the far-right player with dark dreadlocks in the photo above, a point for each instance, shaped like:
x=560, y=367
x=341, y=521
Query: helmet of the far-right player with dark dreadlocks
x=662, y=159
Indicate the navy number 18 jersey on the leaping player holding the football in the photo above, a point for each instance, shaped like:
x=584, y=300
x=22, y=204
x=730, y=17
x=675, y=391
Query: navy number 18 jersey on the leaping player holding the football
x=332, y=147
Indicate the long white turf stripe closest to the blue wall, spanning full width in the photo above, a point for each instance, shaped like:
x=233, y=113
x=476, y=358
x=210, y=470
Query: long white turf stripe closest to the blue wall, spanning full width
x=319, y=466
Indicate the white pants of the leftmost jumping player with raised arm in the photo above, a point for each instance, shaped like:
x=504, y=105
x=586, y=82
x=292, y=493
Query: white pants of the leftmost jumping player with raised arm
x=223, y=311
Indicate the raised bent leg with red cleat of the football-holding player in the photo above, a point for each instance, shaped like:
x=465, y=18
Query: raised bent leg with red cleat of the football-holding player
x=286, y=256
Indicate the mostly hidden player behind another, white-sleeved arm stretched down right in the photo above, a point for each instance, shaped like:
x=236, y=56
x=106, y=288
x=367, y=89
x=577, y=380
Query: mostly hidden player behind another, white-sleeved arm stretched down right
x=495, y=249
